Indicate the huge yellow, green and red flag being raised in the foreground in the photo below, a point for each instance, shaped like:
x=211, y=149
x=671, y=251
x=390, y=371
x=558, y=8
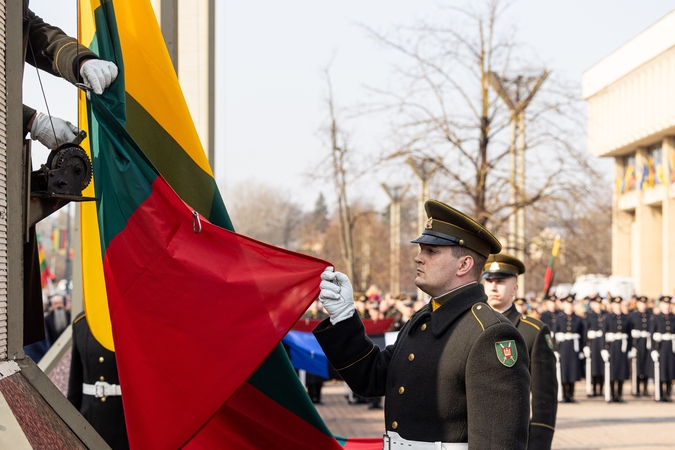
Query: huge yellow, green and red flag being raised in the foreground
x=195, y=309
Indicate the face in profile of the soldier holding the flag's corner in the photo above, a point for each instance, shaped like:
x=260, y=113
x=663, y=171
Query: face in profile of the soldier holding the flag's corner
x=437, y=269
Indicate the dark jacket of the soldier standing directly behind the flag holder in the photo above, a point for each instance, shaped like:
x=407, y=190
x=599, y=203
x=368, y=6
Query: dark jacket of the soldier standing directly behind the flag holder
x=544, y=384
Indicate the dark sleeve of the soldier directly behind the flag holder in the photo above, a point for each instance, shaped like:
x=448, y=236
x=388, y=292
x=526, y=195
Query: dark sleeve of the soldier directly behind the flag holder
x=544, y=393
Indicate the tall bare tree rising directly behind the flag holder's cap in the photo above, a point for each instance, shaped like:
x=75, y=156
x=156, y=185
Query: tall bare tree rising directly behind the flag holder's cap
x=442, y=105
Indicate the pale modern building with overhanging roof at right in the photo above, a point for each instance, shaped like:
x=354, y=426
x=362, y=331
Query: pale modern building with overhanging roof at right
x=631, y=118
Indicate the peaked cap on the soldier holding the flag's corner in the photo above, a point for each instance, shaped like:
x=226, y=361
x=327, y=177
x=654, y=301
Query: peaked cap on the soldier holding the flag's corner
x=447, y=226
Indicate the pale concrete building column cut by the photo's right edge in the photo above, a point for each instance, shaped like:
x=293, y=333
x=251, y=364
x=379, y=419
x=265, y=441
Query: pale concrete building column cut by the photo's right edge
x=668, y=218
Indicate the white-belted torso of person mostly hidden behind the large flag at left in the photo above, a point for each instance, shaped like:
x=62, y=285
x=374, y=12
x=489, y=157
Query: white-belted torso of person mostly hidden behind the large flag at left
x=93, y=386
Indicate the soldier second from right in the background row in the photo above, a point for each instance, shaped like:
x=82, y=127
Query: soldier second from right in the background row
x=642, y=345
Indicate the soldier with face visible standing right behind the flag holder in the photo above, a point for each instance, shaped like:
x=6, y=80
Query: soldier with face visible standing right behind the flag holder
x=501, y=285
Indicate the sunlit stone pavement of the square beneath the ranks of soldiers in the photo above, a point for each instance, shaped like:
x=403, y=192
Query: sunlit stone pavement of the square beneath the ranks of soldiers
x=590, y=424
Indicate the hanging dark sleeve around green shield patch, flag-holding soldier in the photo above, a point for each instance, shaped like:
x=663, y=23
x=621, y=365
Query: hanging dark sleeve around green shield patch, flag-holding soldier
x=498, y=397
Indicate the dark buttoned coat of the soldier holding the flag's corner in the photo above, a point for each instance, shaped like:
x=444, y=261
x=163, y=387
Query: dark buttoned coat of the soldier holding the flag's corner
x=458, y=374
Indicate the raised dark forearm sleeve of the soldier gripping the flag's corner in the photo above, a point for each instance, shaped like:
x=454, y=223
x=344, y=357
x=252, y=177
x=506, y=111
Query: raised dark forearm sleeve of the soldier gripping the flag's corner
x=359, y=362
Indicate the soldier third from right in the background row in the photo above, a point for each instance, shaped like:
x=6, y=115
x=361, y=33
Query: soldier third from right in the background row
x=618, y=341
